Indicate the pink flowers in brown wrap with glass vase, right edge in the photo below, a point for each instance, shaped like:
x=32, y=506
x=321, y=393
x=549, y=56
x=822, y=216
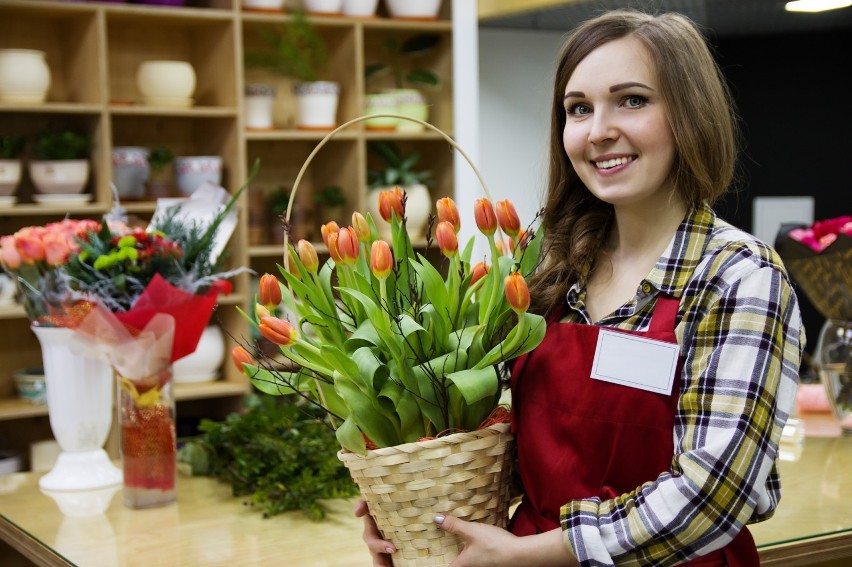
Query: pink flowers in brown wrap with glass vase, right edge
x=819, y=258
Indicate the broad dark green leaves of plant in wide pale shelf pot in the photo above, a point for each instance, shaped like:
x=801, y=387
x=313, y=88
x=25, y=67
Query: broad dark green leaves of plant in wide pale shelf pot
x=399, y=53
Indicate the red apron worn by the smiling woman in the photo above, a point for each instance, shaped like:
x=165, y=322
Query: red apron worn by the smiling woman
x=578, y=437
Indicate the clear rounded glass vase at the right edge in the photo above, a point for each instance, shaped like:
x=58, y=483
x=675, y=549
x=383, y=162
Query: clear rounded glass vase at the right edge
x=834, y=360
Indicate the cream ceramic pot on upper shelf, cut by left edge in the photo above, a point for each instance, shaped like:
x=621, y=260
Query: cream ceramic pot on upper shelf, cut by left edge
x=24, y=76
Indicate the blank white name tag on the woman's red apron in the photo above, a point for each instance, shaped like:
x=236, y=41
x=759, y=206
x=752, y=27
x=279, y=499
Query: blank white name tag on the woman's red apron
x=635, y=361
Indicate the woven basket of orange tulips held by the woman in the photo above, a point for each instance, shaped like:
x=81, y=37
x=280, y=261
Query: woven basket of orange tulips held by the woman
x=405, y=359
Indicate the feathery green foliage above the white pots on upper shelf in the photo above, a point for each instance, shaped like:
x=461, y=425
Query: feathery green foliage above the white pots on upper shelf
x=297, y=50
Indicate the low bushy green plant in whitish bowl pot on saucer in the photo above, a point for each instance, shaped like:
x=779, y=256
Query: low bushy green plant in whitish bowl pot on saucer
x=61, y=167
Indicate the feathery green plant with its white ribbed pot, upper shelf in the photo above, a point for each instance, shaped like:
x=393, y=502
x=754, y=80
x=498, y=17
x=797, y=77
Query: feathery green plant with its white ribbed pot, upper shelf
x=297, y=51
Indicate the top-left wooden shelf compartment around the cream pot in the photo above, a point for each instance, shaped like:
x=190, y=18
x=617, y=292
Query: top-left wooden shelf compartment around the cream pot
x=71, y=40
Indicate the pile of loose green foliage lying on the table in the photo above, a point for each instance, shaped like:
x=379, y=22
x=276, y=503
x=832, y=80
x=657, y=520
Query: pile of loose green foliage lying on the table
x=281, y=455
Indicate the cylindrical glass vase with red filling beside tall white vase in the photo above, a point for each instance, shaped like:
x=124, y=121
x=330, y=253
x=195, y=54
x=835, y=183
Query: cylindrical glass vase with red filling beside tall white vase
x=148, y=440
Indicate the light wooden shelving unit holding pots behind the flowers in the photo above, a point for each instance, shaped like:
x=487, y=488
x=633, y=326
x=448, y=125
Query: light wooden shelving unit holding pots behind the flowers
x=93, y=50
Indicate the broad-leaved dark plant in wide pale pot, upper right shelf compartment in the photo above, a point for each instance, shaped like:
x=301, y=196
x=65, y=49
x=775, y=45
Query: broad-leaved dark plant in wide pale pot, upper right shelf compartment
x=405, y=96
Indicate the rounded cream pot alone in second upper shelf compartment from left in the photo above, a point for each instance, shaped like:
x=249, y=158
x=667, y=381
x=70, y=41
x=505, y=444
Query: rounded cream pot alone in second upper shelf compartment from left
x=166, y=83
